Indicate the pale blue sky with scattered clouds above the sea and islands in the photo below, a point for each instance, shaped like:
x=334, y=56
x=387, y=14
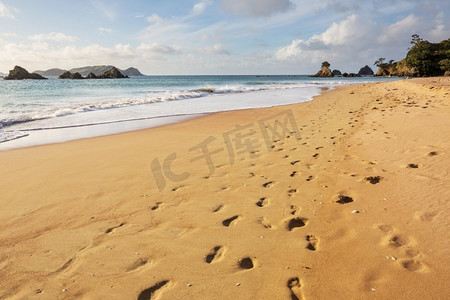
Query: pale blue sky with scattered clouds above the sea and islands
x=214, y=36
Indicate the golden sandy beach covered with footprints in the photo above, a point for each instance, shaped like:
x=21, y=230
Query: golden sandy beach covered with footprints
x=343, y=197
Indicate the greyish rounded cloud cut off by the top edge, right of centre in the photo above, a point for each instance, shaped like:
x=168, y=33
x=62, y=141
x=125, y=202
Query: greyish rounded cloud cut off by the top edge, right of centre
x=256, y=8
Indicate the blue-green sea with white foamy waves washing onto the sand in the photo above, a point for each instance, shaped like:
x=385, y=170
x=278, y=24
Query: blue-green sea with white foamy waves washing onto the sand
x=54, y=110
